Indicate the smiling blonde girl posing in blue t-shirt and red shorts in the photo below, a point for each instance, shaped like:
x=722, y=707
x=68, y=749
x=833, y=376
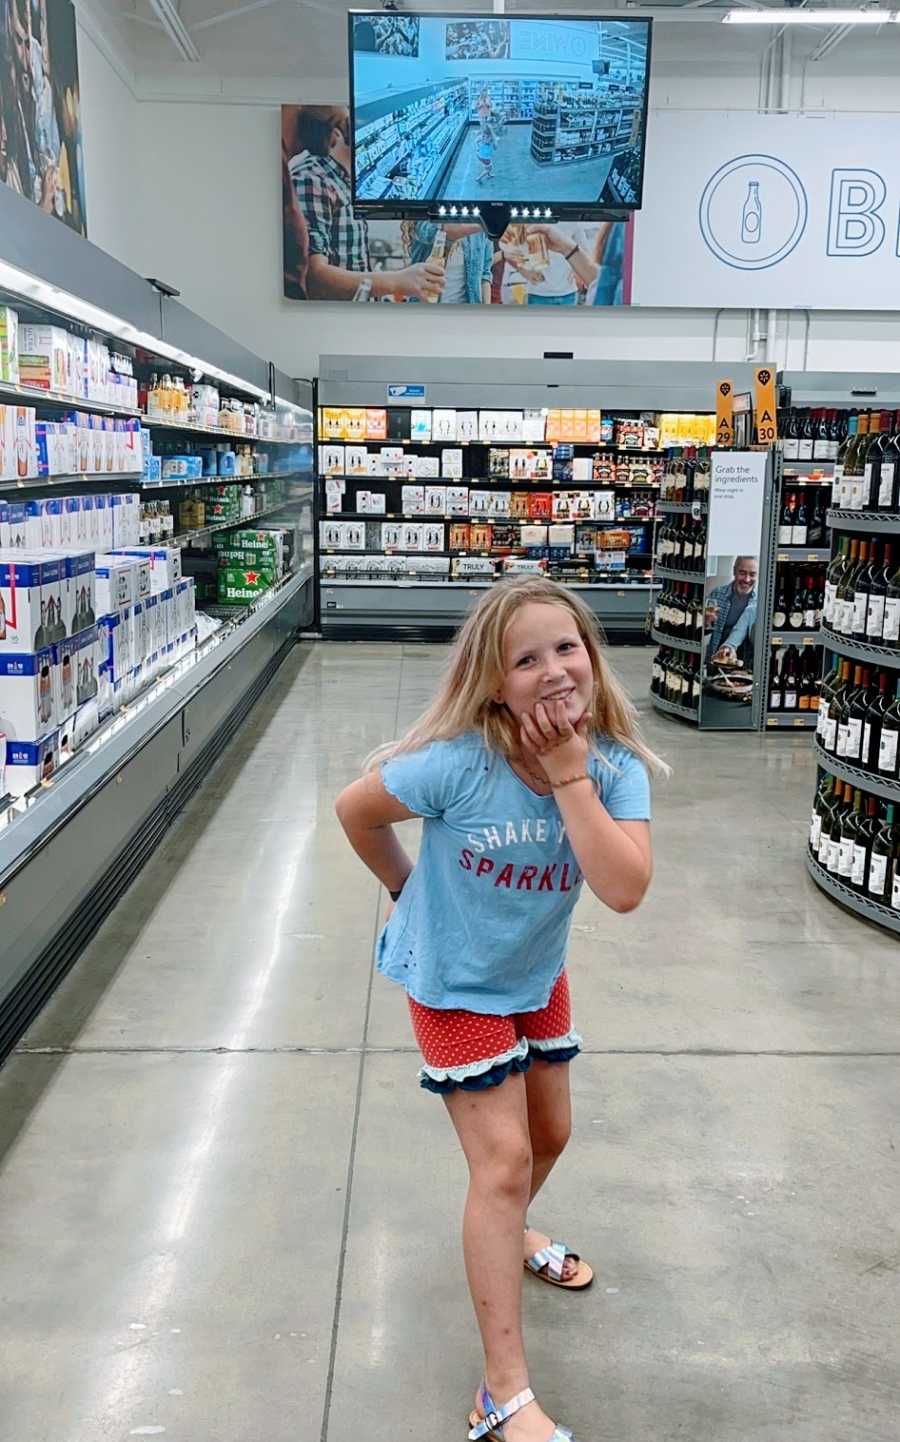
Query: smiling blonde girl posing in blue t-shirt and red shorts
x=531, y=777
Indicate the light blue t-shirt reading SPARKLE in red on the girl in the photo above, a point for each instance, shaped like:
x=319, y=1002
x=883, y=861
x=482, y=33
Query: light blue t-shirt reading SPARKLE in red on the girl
x=484, y=919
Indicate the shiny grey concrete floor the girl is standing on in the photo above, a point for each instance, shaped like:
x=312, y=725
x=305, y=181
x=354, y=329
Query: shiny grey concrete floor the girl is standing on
x=229, y=1213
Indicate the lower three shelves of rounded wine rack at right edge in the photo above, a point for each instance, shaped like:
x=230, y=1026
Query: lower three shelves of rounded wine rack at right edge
x=868, y=766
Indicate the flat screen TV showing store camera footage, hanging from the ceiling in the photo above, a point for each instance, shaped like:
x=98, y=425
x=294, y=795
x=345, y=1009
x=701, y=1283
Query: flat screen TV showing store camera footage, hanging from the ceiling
x=513, y=110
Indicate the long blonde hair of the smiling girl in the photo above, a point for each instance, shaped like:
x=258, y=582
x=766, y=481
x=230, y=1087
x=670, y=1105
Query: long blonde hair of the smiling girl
x=465, y=700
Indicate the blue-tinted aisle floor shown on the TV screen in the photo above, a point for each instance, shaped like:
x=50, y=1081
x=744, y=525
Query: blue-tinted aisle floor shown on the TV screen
x=517, y=177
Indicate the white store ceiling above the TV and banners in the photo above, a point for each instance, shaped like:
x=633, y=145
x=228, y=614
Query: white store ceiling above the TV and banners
x=305, y=41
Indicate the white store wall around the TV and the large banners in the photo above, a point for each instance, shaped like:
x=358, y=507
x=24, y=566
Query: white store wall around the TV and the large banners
x=201, y=208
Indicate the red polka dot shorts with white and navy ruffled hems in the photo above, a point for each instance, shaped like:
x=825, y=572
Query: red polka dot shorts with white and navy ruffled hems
x=474, y=1052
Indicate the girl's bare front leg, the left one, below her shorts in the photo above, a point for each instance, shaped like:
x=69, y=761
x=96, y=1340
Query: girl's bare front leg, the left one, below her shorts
x=493, y=1127
